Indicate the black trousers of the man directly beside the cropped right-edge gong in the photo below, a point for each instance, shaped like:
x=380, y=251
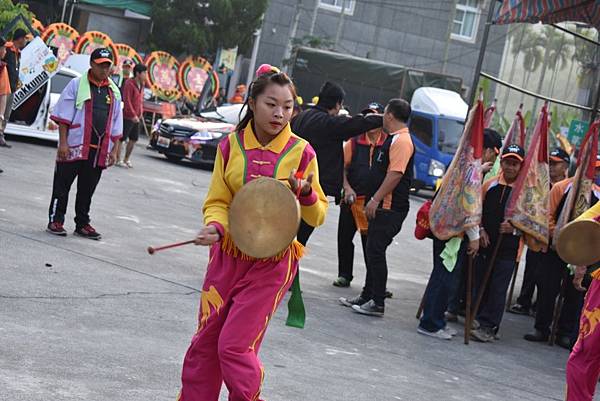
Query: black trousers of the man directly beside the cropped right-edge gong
x=551, y=274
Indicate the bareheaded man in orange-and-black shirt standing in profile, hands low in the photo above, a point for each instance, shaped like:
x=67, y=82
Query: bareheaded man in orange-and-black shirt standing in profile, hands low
x=388, y=204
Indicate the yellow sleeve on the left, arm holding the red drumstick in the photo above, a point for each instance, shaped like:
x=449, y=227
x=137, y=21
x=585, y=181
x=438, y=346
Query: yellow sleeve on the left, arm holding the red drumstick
x=218, y=199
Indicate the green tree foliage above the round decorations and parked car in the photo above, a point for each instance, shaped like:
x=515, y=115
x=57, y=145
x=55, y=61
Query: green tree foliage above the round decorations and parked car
x=201, y=27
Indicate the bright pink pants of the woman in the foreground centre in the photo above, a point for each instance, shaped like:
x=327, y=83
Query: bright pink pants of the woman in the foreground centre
x=239, y=297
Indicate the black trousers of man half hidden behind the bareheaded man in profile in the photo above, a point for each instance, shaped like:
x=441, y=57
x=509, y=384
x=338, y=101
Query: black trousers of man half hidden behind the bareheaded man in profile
x=346, y=231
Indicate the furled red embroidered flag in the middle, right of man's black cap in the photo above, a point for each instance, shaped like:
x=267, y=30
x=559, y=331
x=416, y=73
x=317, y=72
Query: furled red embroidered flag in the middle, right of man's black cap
x=527, y=208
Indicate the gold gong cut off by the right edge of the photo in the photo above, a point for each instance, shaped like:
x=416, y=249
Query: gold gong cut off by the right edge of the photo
x=578, y=242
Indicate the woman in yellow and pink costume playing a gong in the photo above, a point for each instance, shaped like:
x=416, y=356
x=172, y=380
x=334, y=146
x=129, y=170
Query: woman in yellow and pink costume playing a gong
x=240, y=294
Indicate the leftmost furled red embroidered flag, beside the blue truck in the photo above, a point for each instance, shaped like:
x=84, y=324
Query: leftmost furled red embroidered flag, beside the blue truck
x=457, y=205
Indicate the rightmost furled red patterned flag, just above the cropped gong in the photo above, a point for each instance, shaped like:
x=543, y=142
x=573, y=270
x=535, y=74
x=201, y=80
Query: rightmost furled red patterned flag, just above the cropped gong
x=579, y=197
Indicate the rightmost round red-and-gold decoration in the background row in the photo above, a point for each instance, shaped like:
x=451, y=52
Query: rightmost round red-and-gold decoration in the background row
x=193, y=74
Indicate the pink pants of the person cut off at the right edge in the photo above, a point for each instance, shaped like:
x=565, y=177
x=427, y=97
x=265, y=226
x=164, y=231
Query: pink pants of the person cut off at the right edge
x=583, y=367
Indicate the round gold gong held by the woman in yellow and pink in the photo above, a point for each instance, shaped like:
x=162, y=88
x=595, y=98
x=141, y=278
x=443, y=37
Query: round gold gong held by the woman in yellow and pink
x=264, y=217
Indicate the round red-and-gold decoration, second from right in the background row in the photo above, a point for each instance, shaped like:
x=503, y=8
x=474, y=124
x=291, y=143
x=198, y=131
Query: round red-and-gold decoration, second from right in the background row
x=162, y=75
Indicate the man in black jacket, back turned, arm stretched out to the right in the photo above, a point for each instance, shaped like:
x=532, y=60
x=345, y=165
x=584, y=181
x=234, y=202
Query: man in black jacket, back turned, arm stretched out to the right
x=326, y=131
